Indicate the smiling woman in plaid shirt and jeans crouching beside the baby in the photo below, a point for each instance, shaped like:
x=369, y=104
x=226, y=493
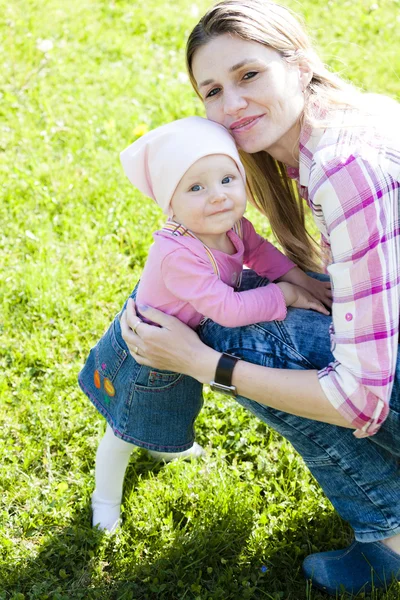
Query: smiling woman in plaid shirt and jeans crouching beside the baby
x=303, y=131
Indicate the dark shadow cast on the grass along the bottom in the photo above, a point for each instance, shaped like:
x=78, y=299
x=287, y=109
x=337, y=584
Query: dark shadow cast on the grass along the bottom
x=193, y=561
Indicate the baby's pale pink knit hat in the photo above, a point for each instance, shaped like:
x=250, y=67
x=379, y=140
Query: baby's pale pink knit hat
x=157, y=161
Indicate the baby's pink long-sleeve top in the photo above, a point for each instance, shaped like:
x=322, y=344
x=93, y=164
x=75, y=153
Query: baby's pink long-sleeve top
x=179, y=279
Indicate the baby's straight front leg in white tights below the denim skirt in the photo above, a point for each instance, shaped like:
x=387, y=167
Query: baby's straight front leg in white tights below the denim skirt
x=111, y=461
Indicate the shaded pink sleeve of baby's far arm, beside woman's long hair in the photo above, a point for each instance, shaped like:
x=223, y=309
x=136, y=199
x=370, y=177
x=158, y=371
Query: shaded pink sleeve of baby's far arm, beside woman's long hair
x=261, y=256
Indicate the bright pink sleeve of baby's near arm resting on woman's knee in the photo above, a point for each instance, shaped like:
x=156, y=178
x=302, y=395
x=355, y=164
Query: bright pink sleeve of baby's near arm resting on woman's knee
x=191, y=278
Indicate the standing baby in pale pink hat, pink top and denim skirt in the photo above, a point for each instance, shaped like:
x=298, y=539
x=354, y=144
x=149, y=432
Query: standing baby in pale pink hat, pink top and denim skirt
x=192, y=169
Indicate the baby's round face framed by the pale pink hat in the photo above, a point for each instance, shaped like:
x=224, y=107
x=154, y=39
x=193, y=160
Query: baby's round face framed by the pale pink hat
x=211, y=196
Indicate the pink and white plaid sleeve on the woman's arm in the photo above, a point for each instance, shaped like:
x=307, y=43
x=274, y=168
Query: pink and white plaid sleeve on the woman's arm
x=359, y=203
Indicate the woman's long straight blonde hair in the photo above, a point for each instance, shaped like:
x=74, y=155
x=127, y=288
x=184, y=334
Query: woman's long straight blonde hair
x=271, y=190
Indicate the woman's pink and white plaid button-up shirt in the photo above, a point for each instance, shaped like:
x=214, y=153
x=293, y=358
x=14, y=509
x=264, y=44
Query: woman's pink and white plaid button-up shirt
x=350, y=177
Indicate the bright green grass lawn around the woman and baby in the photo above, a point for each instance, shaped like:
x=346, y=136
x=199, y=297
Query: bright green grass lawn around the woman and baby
x=73, y=240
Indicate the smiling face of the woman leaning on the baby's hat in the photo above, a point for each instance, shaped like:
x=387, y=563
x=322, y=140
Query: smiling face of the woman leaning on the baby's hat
x=254, y=93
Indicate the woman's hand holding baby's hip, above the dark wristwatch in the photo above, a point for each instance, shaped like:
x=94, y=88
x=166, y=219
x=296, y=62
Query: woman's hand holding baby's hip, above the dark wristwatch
x=171, y=347
